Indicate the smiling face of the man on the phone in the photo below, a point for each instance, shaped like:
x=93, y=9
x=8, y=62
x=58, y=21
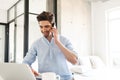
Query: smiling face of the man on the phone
x=45, y=27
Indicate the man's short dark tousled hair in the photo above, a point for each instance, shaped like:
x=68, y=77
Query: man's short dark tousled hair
x=46, y=16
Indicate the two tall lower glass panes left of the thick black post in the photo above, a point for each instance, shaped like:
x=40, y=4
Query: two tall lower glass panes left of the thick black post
x=16, y=40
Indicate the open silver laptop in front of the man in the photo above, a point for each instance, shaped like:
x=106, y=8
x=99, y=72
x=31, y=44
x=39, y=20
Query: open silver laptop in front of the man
x=15, y=71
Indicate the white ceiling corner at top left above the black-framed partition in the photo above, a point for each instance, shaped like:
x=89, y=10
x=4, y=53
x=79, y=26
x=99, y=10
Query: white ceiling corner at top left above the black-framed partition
x=6, y=4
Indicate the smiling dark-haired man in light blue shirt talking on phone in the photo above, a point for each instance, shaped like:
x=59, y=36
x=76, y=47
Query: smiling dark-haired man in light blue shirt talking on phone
x=52, y=49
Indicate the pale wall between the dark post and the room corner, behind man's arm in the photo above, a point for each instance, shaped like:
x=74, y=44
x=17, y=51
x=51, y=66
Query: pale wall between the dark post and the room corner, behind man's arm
x=74, y=22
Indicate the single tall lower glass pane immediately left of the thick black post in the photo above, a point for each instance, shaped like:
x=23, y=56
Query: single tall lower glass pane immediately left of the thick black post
x=19, y=39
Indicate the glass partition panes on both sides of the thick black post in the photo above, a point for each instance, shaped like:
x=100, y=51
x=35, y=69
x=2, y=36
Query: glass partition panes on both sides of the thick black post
x=16, y=28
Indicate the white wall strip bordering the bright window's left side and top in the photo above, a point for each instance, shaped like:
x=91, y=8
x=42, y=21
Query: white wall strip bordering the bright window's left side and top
x=99, y=29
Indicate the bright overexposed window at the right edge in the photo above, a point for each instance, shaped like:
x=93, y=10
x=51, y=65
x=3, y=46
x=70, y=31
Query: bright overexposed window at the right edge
x=113, y=22
